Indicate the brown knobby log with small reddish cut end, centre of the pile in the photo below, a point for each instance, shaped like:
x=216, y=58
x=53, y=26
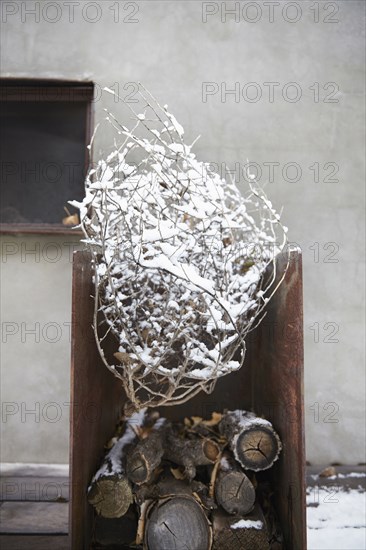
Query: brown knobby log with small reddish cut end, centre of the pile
x=190, y=452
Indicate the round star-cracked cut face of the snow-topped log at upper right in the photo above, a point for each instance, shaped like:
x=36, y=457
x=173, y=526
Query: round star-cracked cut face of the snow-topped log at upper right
x=257, y=448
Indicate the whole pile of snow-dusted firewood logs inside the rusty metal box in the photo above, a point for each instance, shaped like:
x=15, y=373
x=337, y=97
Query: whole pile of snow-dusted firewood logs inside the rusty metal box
x=191, y=485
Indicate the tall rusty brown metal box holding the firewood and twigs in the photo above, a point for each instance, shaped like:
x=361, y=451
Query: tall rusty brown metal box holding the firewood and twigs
x=270, y=383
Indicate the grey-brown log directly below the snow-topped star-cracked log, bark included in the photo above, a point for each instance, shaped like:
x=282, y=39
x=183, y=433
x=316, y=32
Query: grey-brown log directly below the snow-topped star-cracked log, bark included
x=233, y=489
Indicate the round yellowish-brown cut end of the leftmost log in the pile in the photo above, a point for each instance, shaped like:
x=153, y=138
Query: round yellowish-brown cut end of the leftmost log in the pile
x=111, y=497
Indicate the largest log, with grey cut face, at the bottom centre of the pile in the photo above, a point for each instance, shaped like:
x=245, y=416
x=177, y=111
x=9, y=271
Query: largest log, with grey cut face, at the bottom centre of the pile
x=179, y=522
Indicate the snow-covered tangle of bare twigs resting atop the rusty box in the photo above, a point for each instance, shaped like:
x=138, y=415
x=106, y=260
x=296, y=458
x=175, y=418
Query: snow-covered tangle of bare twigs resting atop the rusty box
x=179, y=261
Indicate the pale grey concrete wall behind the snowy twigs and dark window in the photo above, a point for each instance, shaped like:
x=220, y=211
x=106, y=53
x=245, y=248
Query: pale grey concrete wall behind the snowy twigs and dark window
x=174, y=52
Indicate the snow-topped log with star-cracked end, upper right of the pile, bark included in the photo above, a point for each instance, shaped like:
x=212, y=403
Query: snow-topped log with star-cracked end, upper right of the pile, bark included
x=254, y=442
